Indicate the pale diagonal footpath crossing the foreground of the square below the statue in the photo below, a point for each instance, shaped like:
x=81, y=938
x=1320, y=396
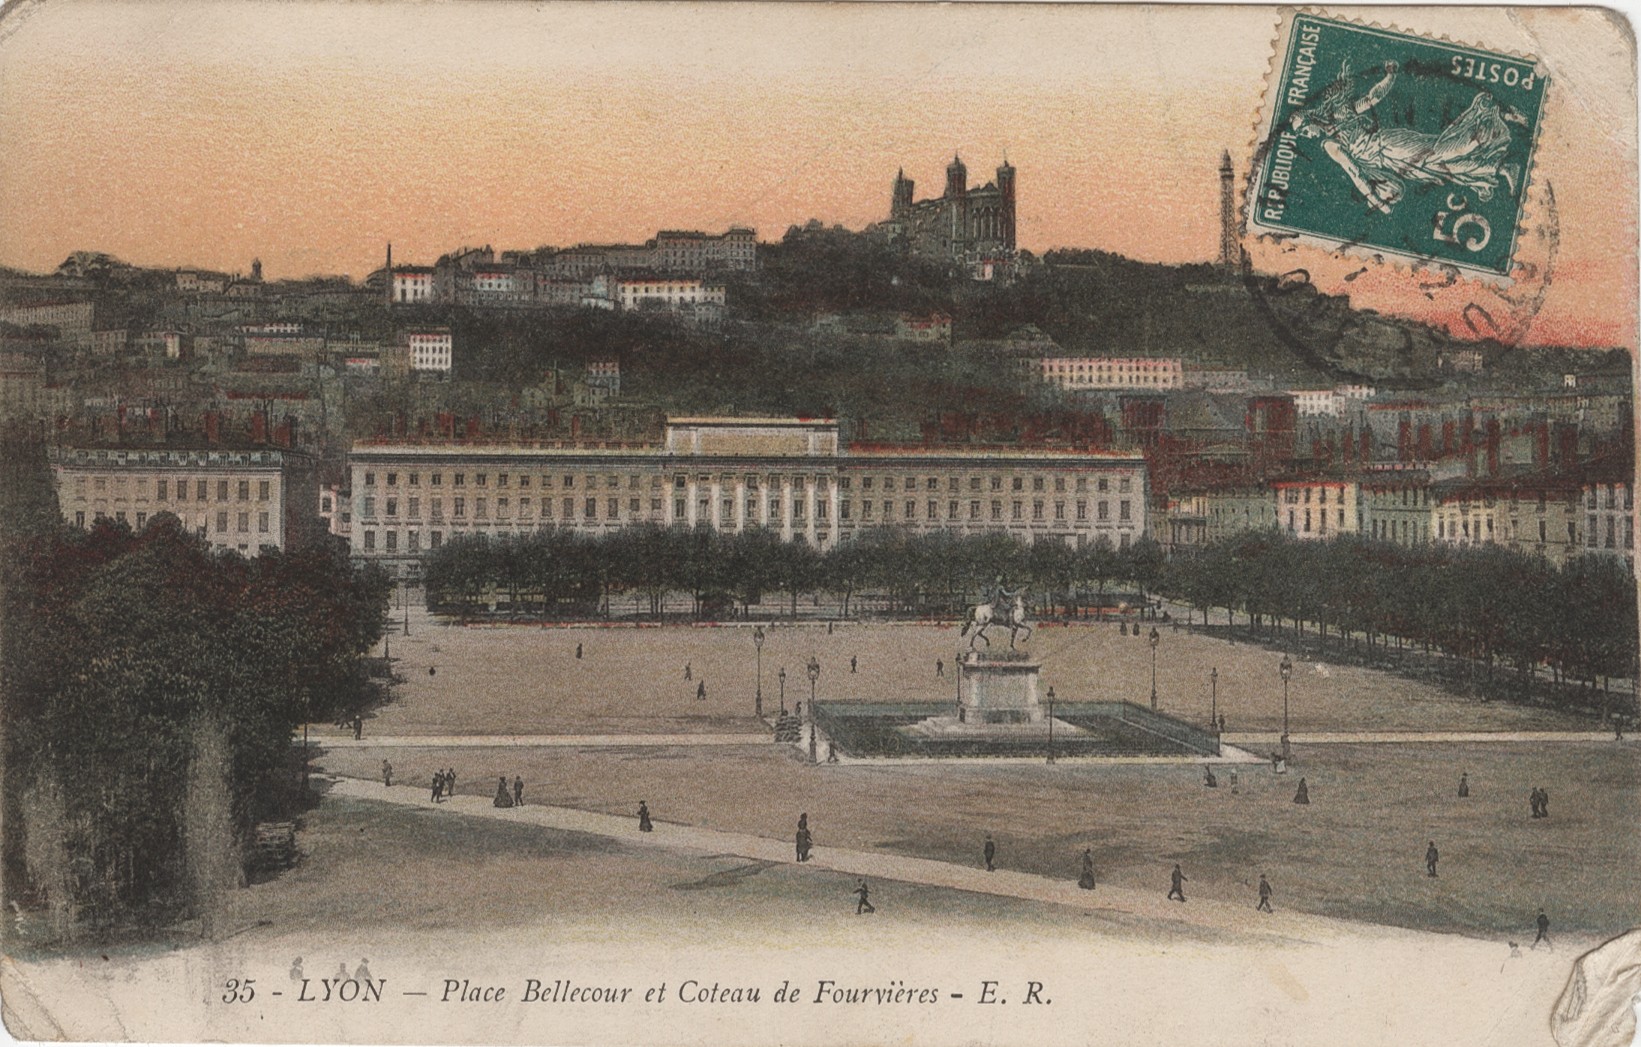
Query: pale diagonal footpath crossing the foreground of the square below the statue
x=1240, y=918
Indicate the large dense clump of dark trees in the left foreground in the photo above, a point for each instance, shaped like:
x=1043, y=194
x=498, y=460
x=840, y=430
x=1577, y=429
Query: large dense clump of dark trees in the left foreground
x=153, y=687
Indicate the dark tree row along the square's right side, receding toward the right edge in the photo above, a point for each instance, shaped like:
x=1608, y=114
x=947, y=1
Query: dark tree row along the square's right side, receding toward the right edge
x=1486, y=603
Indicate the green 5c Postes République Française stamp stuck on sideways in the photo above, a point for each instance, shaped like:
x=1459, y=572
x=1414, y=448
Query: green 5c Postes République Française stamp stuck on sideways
x=1396, y=144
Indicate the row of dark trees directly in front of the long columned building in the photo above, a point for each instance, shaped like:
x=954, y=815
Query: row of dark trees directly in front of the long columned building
x=908, y=574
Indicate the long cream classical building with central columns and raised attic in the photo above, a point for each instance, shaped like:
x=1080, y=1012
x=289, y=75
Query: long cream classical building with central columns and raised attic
x=792, y=477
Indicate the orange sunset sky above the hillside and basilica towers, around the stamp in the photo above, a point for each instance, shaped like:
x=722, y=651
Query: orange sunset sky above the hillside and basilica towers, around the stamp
x=313, y=134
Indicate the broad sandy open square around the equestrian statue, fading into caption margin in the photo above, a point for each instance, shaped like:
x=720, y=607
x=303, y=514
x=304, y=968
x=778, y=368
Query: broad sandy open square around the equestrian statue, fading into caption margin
x=567, y=889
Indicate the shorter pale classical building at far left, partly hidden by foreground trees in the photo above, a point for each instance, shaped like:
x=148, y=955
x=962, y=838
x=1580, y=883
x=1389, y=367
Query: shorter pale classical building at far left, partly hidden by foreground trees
x=235, y=498
